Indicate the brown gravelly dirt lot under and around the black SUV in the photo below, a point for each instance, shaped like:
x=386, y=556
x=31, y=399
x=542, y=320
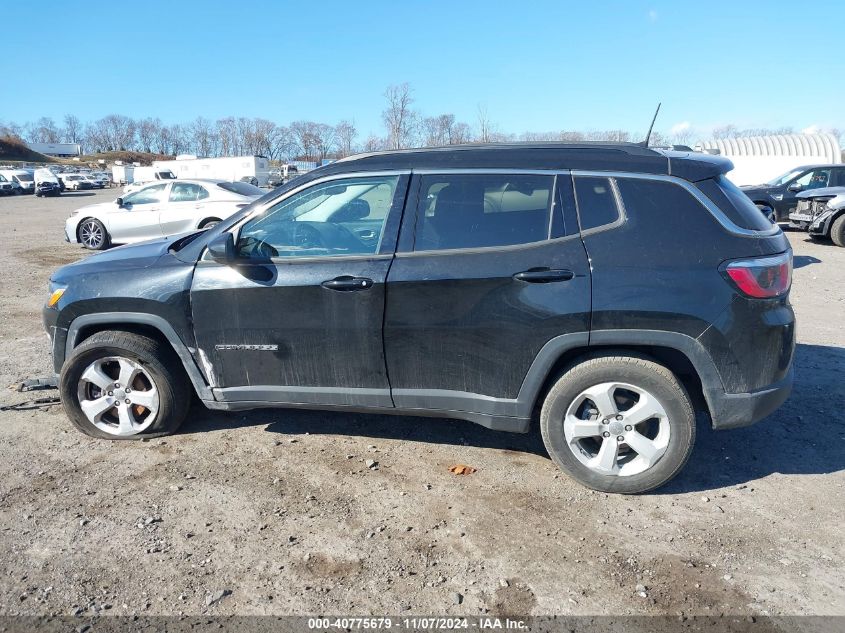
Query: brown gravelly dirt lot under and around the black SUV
x=277, y=509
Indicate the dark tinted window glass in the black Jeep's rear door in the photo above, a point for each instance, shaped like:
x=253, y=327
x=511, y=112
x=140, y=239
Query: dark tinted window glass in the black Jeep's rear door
x=482, y=210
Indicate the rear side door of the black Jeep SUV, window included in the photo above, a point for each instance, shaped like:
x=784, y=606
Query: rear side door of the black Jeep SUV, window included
x=490, y=268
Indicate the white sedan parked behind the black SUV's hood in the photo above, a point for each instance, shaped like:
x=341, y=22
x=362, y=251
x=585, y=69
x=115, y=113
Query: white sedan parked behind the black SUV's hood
x=158, y=210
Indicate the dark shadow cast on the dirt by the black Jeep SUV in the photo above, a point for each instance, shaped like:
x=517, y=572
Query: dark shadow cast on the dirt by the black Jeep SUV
x=719, y=459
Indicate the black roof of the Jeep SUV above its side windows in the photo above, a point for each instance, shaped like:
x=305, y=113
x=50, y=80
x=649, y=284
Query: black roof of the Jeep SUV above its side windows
x=597, y=156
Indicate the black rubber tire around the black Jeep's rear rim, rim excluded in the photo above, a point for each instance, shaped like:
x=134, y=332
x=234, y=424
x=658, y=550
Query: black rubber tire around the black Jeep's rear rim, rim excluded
x=637, y=371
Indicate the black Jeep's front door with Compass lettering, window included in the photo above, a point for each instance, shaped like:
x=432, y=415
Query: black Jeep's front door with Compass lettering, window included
x=298, y=319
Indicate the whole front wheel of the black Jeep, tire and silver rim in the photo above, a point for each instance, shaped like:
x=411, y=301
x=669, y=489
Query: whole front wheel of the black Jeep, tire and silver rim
x=118, y=385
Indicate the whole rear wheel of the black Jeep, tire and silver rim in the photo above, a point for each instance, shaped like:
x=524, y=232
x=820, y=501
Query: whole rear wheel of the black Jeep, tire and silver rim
x=618, y=424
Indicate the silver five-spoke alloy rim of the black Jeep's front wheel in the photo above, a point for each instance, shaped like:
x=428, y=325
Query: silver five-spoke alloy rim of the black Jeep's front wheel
x=118, y=396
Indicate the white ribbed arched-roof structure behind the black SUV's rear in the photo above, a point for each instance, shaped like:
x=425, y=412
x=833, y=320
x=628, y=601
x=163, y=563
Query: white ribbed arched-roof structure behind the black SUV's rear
x=758, y=159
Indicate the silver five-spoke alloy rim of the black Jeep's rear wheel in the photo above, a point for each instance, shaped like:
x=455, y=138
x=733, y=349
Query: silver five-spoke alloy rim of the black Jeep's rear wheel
x=617, y=429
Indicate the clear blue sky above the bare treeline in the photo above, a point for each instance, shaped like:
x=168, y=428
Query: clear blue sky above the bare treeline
x=540, y=66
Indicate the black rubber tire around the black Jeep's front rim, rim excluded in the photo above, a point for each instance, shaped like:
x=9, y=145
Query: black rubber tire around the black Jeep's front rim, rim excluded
x=158, y=360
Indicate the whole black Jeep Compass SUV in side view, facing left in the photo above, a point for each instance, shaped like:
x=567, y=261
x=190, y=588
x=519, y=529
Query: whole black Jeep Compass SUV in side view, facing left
x=606, y=290
